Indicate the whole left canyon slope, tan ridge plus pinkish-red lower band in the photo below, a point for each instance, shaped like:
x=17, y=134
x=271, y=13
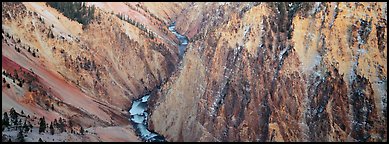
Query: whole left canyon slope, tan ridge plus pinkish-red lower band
x=89, y=73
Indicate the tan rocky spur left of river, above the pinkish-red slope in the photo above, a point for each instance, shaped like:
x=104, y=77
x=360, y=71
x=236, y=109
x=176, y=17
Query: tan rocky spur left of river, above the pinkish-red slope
x=110, y=60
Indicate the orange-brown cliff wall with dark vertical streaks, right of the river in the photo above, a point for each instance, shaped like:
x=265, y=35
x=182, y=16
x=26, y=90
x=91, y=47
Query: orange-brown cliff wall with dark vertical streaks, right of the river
x=278, y=72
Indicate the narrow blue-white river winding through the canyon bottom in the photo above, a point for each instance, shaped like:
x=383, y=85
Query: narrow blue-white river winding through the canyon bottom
x=139, y=108
